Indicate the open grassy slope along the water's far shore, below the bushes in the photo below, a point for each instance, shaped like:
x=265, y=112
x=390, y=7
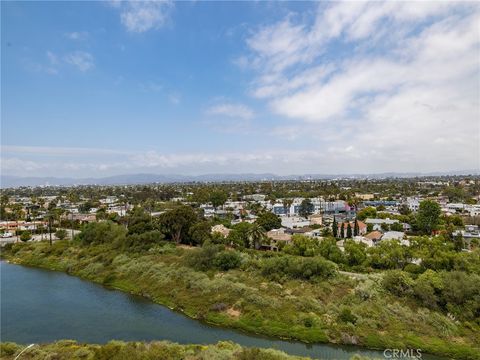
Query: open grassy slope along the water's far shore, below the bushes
x=337, y=310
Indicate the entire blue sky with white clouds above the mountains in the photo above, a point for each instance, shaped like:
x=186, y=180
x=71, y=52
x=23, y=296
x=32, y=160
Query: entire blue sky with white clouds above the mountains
x=105, y=88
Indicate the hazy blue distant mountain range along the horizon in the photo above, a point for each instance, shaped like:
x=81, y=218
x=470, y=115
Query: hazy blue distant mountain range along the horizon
x=7, y=181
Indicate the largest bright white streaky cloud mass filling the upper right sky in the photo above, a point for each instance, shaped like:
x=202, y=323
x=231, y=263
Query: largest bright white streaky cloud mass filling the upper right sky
x=390, y=77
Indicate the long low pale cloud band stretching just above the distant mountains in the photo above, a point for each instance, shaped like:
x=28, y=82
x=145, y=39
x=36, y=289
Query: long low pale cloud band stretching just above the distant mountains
x=353, y=158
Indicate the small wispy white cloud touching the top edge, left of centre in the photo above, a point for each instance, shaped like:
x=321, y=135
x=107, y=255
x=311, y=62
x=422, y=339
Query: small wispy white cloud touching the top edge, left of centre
x=141, y=16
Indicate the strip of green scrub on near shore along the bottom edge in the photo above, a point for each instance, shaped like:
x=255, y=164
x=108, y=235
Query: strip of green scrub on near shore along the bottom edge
x=118, y=350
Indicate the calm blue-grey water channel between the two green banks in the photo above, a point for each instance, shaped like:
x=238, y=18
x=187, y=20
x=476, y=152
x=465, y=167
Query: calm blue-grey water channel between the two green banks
x=42, y=306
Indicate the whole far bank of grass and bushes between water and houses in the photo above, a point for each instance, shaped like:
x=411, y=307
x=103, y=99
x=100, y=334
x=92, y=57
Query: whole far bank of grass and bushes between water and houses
x=281, y=295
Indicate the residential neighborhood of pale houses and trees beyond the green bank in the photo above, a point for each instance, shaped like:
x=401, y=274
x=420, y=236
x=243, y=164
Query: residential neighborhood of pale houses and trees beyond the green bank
x=366, y=218
